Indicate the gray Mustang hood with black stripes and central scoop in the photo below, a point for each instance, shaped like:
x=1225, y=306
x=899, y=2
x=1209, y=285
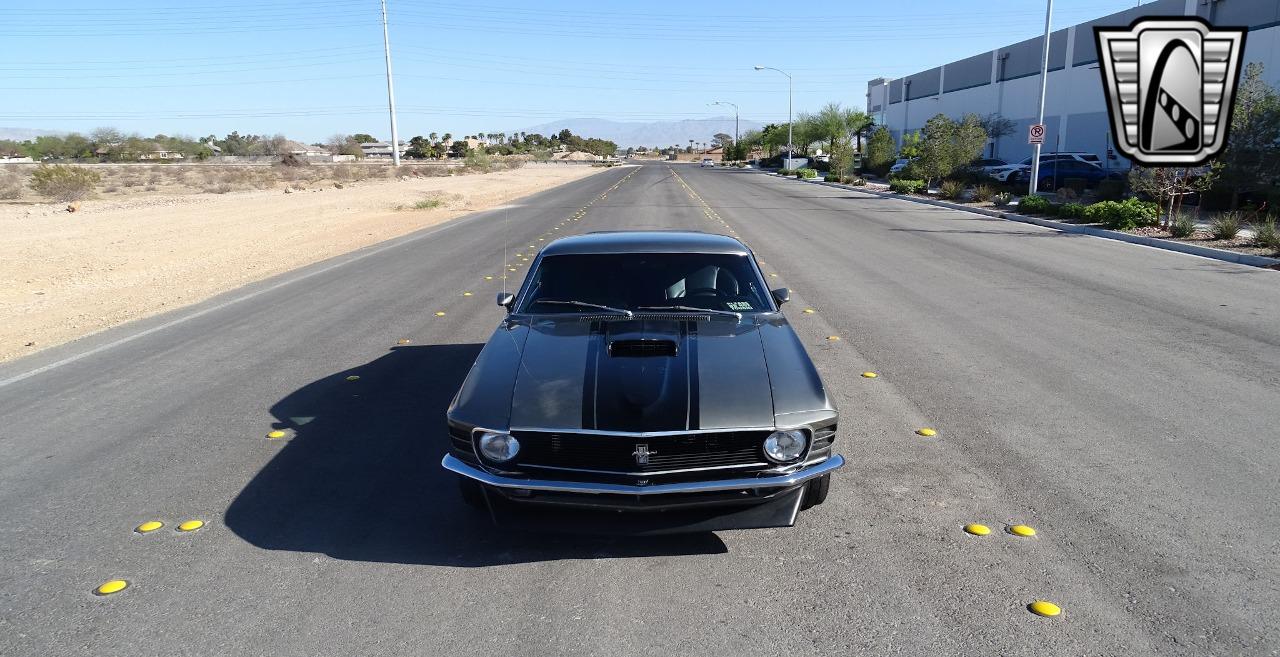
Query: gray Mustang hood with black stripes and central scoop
x=568, y=373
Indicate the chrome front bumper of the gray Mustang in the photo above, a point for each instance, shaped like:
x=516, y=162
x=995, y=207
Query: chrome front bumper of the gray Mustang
x=787, y=481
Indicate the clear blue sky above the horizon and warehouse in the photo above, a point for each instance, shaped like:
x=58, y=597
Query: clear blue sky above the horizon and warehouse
x=313, y=69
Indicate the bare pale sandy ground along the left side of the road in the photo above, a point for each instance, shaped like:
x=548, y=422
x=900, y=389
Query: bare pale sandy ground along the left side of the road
x=65, y=276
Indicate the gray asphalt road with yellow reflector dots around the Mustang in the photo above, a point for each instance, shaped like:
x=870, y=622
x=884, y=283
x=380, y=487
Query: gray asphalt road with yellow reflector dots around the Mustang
x=1123, y=401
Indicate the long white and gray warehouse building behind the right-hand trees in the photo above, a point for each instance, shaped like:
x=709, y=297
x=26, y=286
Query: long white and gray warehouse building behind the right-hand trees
x=1007, y=81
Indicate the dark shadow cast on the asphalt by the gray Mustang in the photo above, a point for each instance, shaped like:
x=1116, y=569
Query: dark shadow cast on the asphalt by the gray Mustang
x=360, y=477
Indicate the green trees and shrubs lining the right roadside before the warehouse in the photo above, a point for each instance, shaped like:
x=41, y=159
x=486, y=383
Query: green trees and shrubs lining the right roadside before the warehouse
x=1233, y=203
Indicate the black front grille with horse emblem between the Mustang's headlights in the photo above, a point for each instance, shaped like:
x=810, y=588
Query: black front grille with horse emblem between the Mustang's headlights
x=619, y=454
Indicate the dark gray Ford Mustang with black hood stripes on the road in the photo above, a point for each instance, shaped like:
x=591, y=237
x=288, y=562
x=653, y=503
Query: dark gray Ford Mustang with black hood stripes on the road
x=650, y=373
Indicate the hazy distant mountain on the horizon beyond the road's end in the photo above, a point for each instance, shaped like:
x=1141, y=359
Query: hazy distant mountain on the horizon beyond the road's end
x=656, y=134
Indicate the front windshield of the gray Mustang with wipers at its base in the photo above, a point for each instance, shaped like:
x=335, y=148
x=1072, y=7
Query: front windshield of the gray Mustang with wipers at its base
x=646, y=282
